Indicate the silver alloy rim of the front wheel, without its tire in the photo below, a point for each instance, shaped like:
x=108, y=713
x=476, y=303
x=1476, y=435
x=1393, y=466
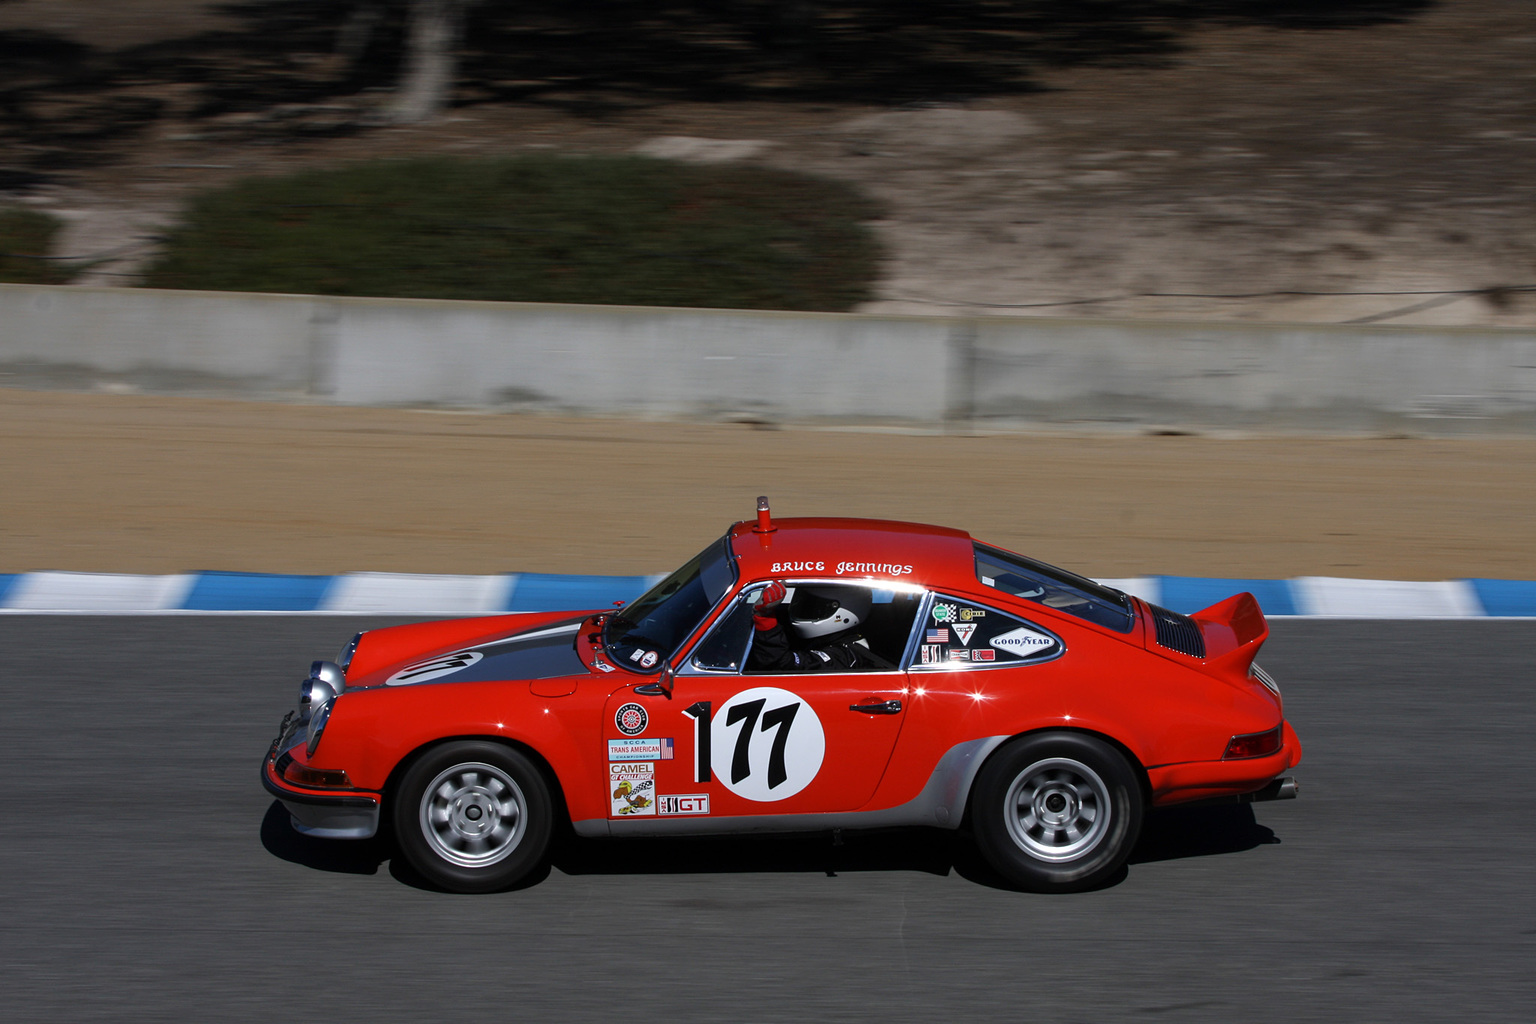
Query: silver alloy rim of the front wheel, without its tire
x=474, y=814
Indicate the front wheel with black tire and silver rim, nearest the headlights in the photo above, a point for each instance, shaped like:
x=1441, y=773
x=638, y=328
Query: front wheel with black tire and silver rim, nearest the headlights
x=474, y=816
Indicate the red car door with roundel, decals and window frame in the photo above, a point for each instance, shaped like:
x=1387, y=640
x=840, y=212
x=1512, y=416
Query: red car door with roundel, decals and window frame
x=735, y=742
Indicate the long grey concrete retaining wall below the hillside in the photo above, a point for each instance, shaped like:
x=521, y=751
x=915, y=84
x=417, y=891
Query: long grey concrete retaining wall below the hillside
x=667, y=363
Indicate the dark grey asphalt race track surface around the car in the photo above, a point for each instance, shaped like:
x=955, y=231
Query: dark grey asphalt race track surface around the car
x=147, y=876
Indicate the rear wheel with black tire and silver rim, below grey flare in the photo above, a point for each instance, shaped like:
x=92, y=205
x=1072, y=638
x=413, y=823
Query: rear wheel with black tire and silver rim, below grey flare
x=1058, y=811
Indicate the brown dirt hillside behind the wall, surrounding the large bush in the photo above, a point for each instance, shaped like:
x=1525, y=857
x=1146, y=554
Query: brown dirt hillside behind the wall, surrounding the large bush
x=1319, y=162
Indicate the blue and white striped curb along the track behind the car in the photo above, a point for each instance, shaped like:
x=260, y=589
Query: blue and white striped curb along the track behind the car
x=422, y=595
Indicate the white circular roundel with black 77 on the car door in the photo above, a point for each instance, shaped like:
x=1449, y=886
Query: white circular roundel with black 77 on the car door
x=766, y=744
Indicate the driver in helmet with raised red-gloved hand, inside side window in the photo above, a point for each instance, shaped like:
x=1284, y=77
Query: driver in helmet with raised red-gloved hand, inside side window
x=823, y=632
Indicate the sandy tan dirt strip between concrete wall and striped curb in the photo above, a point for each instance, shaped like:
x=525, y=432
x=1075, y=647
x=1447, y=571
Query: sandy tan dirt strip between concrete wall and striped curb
x=133, y=484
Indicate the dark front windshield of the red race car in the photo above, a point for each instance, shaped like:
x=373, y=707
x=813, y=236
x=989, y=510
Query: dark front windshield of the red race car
x=650, y=629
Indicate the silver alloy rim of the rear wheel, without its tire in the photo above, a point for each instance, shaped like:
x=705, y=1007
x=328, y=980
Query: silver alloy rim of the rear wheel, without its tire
x=1058, y=810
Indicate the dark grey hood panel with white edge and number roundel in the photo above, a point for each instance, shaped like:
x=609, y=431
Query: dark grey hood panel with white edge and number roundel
x=540, y=653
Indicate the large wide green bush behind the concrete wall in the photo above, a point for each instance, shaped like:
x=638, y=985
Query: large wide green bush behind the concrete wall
x=538, y=230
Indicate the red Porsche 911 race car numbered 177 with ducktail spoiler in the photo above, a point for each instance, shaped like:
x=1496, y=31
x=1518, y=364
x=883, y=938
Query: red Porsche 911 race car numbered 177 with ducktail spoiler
x=795, y=676
